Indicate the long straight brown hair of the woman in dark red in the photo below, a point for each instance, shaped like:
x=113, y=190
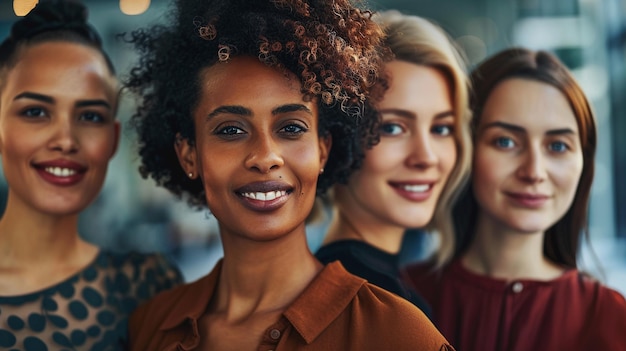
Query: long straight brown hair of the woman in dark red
x=562, y=240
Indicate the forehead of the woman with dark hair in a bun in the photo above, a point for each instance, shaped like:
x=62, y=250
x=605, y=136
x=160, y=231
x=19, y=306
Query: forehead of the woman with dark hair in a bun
x=61, y=68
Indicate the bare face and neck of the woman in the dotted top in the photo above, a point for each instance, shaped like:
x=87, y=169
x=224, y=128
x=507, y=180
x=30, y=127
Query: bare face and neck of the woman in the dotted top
x=57, y=134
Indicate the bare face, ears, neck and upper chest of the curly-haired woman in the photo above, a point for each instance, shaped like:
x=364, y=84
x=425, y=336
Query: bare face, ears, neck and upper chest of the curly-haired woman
x=258, y=153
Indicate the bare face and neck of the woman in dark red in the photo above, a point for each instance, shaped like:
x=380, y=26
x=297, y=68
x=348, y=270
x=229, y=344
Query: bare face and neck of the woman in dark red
x=529, y=131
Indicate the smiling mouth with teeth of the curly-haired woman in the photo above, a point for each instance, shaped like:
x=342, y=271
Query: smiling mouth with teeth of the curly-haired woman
x=264, y=196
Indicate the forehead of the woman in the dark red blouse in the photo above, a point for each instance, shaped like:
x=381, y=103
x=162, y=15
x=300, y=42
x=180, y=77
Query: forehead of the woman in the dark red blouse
x=531, y=104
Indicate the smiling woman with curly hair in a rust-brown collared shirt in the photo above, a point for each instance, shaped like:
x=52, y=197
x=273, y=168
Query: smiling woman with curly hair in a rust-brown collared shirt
x=240, y=103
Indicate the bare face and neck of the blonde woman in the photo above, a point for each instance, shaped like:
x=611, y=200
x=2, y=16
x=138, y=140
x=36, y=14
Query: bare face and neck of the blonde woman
x=403, y=176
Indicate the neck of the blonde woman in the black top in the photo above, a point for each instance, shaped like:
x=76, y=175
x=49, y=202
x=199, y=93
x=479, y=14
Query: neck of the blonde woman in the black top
x=345, y=225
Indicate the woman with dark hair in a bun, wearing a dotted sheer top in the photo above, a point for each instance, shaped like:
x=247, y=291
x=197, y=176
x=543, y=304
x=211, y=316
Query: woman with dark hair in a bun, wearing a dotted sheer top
x=58, y=132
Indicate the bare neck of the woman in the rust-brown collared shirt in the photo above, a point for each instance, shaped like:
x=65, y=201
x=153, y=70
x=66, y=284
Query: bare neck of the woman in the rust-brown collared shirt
x=260, y=277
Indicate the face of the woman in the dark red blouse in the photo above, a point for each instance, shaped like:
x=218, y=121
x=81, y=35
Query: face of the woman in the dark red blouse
x=528, y=157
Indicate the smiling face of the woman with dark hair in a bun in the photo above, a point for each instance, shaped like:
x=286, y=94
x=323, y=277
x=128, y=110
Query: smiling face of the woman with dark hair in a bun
x=57, y=127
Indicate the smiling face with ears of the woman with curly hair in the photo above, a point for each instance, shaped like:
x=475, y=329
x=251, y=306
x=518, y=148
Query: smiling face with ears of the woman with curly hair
x=257, y=149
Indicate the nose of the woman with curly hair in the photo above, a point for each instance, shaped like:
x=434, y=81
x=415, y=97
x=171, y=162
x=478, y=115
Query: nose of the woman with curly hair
x=265, y=154
